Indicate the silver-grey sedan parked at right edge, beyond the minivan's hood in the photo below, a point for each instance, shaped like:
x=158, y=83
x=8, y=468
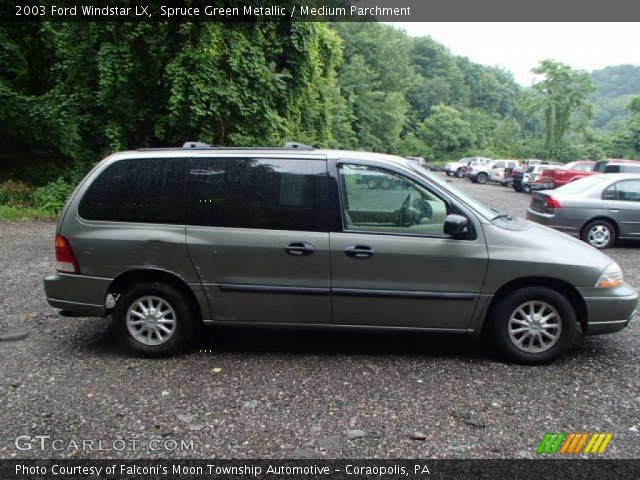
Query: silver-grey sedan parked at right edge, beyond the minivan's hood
x=599, y=209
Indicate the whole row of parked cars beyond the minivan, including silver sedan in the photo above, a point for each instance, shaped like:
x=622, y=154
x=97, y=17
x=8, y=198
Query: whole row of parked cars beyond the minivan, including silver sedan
x=596, y=201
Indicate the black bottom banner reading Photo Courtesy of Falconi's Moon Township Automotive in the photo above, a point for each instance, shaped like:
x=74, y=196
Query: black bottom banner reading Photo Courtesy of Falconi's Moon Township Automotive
x=214, y=469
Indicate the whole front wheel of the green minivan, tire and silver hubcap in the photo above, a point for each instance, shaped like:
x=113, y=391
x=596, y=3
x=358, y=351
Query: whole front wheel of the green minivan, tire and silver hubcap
x=532, y=325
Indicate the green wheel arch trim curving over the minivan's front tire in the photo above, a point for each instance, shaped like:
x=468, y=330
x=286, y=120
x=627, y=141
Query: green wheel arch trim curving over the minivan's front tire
x=564, y=288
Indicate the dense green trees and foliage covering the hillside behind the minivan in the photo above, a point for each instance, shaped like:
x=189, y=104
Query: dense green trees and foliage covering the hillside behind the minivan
x=71, y=93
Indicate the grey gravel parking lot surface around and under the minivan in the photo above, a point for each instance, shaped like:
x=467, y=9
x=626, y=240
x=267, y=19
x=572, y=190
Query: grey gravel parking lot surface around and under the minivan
x=247, y=393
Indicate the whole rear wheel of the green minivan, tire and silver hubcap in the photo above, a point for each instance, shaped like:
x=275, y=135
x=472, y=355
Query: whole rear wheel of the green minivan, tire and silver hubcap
x=154, y=319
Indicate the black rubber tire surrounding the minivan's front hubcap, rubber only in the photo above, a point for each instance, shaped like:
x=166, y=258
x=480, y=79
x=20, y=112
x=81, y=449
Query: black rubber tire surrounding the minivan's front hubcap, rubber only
x=500, y=318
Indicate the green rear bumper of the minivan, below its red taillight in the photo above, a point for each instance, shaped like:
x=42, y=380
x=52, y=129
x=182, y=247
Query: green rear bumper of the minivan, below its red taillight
x=79, y=294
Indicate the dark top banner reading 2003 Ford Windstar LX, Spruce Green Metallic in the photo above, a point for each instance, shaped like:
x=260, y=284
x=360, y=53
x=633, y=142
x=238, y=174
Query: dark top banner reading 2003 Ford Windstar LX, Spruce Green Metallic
x=319, y=10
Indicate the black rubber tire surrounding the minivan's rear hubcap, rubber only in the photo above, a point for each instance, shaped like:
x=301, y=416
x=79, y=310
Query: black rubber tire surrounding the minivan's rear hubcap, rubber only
x=184, y=328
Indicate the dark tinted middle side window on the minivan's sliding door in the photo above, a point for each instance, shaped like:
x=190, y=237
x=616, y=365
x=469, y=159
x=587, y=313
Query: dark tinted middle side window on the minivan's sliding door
x=258, y=193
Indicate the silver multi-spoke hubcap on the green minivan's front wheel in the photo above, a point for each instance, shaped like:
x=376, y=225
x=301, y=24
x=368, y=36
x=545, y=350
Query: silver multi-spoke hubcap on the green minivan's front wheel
x=535, y=326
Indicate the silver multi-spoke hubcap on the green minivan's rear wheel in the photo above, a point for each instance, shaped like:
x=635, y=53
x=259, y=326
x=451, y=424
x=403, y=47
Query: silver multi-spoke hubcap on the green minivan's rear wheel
x=151, y=320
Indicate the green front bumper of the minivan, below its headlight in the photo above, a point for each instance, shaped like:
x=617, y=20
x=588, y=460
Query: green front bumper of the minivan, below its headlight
x=609, y=309
